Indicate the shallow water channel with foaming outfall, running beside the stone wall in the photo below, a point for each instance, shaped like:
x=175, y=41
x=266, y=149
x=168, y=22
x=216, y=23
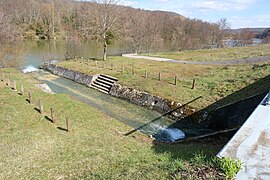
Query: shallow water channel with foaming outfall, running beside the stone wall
x=146, y=121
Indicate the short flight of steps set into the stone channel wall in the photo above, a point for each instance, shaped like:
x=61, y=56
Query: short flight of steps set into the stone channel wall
x=103, y=82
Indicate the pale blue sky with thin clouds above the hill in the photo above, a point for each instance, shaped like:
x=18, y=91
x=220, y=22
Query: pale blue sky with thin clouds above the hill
x=239, y=13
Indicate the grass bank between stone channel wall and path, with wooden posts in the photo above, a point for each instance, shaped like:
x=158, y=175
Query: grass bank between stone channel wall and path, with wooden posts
x=216, y=84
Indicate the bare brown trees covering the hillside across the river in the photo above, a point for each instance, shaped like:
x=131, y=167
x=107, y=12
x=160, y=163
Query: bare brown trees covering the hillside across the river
x=108, y=21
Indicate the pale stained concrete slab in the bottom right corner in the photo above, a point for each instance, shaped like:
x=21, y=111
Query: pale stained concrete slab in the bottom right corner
x=251, y=145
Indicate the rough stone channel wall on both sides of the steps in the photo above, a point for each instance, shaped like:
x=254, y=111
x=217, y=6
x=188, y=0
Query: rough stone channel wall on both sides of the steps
x=132, y=95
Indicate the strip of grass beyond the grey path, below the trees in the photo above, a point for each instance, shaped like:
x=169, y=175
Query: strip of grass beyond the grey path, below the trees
x=221, y=54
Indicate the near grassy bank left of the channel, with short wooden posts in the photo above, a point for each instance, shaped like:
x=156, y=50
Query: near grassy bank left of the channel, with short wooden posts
x=34, y=148
